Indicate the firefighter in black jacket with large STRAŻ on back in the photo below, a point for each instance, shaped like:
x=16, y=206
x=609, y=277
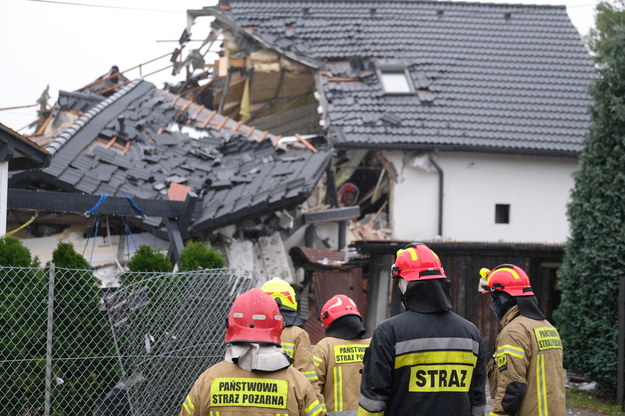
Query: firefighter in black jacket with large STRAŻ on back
x=427, y=360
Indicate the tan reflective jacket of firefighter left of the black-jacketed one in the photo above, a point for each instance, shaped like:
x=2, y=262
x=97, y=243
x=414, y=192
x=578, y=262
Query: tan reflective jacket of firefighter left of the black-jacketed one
x=338, y=363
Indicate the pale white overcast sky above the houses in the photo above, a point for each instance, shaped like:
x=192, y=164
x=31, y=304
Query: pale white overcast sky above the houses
x=67, y=44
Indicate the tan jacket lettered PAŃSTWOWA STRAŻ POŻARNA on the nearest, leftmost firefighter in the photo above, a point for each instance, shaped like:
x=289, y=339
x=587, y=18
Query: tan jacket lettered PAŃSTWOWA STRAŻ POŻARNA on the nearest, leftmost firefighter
x=226, y=389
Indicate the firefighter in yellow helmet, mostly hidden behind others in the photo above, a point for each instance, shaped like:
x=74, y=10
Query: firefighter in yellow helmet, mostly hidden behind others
x=295, y=341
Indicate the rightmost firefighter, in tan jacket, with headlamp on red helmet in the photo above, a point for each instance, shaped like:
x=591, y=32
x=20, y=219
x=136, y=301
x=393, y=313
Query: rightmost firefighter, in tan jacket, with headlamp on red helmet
x=526, y=375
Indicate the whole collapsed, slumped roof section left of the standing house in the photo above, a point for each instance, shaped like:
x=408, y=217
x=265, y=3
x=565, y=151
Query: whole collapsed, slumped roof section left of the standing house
x=148, y=143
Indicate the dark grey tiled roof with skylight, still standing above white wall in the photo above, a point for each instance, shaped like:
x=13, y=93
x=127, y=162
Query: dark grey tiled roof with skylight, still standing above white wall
x=481, y=77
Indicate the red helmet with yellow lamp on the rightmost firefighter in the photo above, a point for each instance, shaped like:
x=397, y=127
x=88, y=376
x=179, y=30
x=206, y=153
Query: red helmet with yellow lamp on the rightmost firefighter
x=506, y=278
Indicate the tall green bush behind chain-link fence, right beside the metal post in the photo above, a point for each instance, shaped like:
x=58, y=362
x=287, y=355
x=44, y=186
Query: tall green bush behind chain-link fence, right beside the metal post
x=81, y=330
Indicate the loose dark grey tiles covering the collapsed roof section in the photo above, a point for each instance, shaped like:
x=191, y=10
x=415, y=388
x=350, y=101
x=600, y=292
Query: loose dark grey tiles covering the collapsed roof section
x=147, y=169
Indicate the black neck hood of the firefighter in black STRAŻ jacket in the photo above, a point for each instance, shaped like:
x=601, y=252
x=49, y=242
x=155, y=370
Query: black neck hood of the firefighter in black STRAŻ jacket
x=428, y=296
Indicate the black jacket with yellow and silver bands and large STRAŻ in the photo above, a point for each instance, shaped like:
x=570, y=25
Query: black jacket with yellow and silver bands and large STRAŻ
x=424, y=364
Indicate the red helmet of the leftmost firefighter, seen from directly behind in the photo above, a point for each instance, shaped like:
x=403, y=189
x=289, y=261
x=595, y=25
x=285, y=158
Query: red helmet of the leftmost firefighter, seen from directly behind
x=254, y=317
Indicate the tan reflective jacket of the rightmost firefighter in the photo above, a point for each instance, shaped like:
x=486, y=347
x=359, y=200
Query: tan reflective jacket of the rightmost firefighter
x=526, y=376
